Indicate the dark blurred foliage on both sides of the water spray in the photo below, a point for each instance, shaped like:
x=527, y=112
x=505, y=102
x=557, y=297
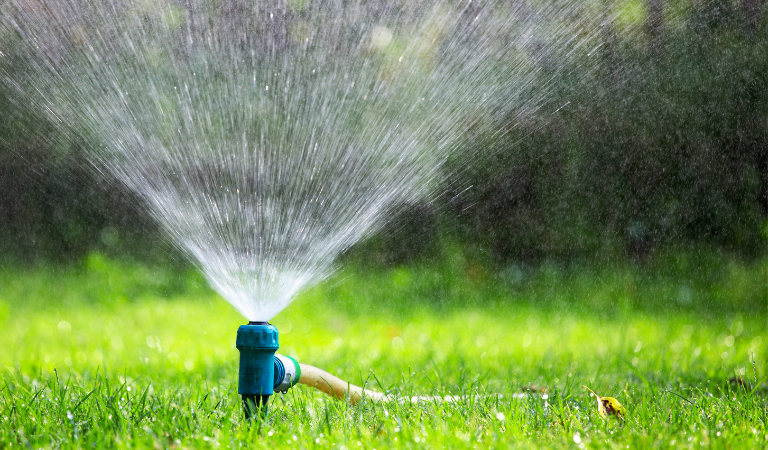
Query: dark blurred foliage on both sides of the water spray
x=661, y=146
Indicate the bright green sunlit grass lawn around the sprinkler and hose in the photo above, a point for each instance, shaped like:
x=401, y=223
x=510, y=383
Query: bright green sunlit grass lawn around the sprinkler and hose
x=113, y=354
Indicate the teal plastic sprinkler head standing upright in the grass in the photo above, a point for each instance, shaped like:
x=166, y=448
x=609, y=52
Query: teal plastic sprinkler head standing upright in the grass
x=261, y=371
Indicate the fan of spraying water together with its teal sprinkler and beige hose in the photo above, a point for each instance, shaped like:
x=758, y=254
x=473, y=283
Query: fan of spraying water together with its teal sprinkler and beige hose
x=266, y=138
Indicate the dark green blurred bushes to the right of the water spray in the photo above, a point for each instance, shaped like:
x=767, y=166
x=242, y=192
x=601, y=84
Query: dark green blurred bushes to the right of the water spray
x=649, y=150
